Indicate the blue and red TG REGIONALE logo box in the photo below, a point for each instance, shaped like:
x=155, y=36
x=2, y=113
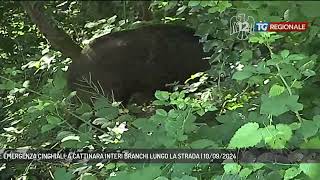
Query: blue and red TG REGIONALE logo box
x=280, y=26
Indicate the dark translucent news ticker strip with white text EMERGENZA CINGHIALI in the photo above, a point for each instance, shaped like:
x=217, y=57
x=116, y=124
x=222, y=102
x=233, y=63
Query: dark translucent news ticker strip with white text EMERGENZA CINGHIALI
x=164, y=156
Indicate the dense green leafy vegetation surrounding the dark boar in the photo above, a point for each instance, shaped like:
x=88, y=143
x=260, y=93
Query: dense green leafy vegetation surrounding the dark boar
x=262, y=92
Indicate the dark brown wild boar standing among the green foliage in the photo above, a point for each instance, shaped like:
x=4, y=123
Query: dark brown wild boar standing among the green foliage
x=141, y=60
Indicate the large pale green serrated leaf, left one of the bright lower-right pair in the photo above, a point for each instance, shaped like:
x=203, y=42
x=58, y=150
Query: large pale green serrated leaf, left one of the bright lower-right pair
x=246, y=136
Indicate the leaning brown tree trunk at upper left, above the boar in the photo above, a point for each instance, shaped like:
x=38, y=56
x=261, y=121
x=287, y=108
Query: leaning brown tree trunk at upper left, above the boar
x=58, y=38
